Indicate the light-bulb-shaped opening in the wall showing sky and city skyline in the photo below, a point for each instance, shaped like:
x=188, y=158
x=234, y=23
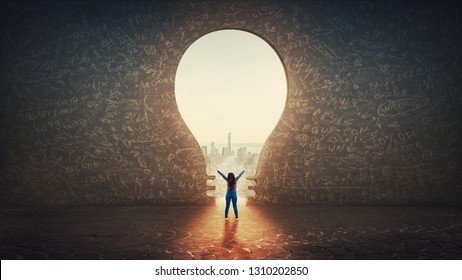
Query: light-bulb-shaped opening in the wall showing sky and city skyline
x=219, y=77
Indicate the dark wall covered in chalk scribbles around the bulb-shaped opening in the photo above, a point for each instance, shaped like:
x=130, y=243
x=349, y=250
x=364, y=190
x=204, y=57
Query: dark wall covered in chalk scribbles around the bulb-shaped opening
x=88, y=112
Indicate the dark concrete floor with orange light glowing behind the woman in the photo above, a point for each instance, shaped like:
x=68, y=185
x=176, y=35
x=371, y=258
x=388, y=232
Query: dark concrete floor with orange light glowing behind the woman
x=262, y=232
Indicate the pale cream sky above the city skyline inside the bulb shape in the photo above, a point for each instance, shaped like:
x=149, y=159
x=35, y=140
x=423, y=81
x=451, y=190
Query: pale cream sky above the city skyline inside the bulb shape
x=230, y=80
